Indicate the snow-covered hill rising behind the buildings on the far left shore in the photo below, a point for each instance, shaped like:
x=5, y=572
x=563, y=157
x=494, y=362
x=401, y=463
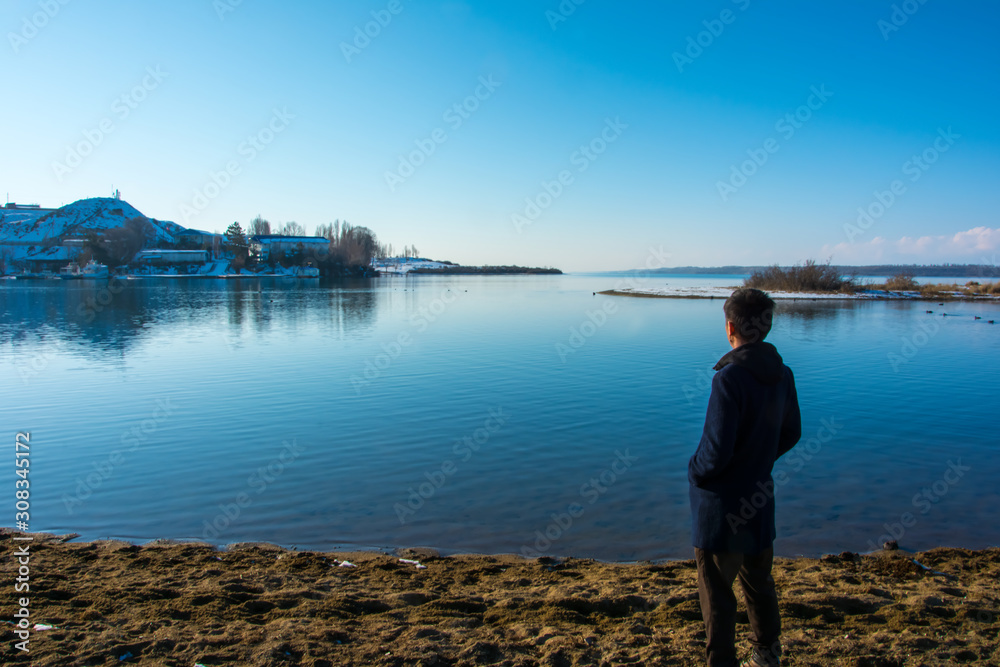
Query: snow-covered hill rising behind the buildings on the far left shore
x=20, y=227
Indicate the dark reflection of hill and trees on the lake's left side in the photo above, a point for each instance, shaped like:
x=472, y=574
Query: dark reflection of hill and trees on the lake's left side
x=99, y=319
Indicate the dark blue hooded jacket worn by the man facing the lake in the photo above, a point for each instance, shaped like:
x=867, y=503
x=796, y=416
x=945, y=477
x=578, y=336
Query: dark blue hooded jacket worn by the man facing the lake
x=753, y=418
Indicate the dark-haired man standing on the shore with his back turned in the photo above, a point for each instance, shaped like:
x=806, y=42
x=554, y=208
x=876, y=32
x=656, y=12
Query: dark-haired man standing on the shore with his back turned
x=753, y=418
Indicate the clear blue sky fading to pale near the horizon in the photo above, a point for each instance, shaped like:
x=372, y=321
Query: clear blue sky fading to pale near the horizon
x=666, y=123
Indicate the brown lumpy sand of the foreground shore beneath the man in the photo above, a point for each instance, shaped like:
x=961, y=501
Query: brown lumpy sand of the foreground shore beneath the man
x=114, y=603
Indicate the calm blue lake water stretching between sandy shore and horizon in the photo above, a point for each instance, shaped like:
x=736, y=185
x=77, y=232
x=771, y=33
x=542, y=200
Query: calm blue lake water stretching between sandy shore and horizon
x=477, y=414
